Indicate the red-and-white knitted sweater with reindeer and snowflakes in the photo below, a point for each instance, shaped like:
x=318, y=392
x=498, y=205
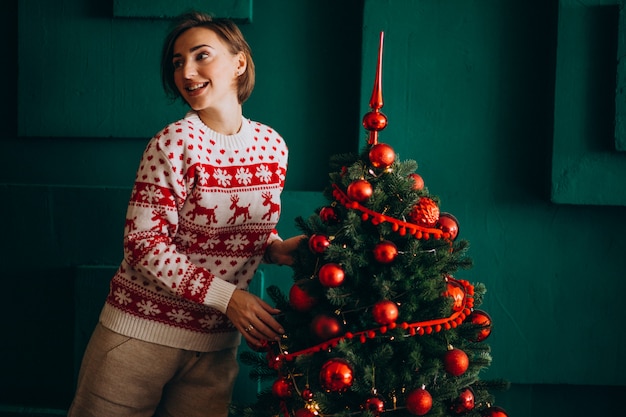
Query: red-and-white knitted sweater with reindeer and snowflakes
x=202, y=210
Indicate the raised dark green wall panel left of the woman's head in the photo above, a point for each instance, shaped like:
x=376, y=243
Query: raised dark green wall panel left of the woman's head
x=88, y=75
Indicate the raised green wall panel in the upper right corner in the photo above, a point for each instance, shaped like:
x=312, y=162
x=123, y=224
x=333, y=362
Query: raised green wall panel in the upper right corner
x=590, y=109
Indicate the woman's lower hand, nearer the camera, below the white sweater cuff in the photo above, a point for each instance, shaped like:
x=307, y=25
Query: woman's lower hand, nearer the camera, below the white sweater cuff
x=253, y=318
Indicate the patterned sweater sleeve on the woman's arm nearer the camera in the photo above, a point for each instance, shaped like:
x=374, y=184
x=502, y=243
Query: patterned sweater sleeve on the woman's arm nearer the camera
x=159, y=192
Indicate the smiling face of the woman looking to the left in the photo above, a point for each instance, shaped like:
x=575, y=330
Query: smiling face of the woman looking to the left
x=205, y=72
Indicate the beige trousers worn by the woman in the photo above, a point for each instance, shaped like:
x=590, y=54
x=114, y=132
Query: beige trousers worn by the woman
x=124, y=377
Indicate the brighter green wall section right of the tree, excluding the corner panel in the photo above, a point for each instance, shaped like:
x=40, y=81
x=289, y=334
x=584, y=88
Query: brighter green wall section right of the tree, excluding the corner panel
x=470, y=95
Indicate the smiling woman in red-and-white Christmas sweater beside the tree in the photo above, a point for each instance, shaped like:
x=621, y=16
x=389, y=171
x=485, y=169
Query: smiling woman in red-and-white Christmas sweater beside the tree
x=200, y=220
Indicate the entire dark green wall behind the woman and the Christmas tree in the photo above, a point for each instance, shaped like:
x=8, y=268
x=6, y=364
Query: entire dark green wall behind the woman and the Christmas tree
x=469, y=90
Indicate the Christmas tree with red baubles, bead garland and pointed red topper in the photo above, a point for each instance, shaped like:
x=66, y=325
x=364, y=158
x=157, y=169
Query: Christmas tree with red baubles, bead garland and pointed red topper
x=377, y=321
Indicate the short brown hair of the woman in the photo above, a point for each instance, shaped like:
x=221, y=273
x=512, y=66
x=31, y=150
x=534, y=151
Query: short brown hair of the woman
x=227, y=30
